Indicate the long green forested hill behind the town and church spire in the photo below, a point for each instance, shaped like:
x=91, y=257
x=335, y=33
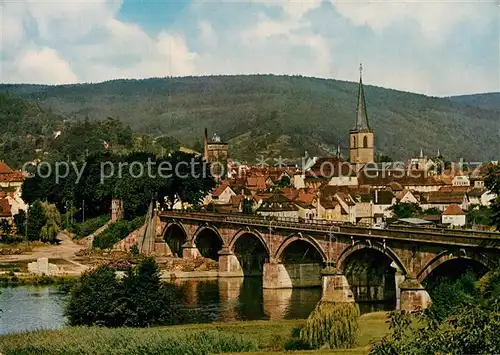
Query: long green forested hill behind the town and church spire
x=280, y=115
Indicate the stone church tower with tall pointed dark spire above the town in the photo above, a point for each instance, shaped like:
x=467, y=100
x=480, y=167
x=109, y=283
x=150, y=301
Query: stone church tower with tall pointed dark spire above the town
x=361, y=138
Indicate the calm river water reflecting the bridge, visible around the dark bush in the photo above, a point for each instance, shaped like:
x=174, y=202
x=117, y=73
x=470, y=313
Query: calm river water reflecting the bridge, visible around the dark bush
x=29, y=307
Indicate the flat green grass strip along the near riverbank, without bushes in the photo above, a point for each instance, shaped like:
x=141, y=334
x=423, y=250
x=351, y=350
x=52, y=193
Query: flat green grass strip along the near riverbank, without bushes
x=260, y=337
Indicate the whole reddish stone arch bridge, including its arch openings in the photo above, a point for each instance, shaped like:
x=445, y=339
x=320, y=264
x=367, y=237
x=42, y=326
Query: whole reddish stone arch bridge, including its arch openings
x=350, y=262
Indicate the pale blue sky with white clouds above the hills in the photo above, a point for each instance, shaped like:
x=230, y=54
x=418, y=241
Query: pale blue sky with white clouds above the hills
x=437, y=48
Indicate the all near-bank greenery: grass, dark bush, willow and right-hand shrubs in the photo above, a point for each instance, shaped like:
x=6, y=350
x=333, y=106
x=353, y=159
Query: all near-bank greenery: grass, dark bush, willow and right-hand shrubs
x=108, y=307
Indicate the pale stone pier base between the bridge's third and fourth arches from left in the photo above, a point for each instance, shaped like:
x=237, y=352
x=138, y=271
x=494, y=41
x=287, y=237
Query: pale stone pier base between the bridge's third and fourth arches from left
x=278, y=275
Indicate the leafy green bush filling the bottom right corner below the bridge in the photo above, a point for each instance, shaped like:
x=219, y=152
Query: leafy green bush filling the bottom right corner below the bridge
x=471, y=328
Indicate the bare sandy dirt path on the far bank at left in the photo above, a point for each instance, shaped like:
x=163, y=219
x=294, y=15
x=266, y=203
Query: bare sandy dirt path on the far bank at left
x=65, y=250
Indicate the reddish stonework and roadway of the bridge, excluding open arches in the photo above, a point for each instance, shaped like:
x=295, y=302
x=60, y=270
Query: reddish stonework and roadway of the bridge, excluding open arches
x=413, y=252
